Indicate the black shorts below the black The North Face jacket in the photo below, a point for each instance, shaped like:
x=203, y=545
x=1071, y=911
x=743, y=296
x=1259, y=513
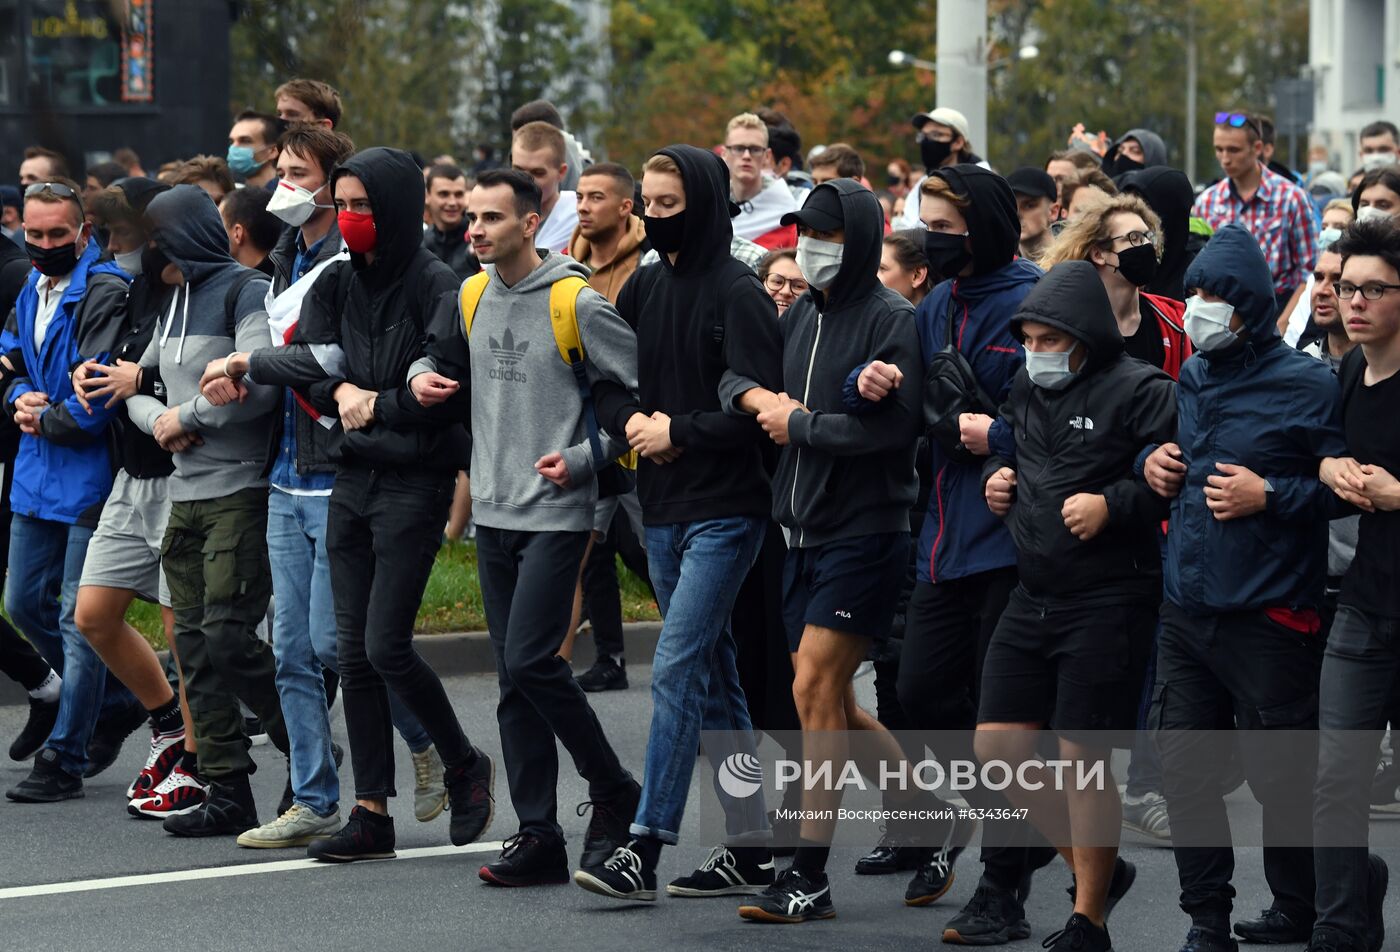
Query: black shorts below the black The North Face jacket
x=1077, y=664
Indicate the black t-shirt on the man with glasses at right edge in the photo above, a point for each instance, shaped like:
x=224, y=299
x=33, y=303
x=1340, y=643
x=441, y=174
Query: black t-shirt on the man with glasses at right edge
x=1374, y=437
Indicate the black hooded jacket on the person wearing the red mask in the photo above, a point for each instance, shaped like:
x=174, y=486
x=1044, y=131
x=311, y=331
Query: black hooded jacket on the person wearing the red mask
x=366, y=324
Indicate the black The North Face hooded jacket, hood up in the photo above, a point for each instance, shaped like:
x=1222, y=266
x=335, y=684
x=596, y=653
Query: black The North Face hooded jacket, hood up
x=1084, y=439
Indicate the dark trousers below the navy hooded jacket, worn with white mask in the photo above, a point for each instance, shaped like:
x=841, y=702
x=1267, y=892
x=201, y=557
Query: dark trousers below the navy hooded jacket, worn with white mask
x=1266, y=674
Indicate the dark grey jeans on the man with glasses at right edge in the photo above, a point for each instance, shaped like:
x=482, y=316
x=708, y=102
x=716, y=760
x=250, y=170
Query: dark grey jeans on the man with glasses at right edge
x=1359, y=691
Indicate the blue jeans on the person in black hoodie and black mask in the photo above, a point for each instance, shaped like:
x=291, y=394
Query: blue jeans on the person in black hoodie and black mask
x=696, y=570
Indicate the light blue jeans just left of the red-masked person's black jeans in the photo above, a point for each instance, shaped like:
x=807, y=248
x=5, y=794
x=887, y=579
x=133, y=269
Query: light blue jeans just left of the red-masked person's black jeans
x=304, y=640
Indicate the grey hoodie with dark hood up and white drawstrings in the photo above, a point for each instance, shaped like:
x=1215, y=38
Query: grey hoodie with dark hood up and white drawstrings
x=195, y=331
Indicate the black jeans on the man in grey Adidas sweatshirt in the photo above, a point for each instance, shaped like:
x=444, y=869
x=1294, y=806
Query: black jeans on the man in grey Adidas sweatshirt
x=527, y=586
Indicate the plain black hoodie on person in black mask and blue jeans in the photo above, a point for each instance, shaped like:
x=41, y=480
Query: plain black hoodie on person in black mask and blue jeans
x=698, y=320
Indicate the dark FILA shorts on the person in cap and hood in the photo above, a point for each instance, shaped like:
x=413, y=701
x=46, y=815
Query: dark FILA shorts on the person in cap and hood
x=849, y=586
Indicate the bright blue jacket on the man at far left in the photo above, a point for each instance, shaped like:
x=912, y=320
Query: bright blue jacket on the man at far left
x=66, y=474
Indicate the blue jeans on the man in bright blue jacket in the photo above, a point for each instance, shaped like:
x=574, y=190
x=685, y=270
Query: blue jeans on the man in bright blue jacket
x=40, y=597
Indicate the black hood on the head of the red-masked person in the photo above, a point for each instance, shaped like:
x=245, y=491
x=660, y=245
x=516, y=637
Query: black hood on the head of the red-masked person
x=394, y=184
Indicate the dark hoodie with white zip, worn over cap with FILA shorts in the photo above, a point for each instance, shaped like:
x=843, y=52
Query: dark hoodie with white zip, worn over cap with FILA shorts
x=845, y=474
